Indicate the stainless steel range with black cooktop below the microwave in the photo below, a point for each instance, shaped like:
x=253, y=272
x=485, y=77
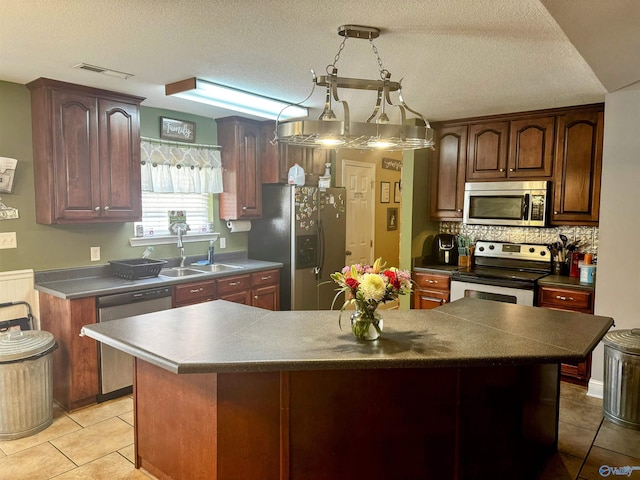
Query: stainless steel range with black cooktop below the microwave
x=504, y=272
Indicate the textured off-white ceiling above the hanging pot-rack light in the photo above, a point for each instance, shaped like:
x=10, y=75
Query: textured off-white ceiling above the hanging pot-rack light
x=457, y=58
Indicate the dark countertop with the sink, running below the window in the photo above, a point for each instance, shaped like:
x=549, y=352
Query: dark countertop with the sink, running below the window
x=95, y=281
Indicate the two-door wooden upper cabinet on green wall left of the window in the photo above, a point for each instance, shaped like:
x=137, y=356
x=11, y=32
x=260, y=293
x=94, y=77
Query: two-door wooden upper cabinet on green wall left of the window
x=86, y=146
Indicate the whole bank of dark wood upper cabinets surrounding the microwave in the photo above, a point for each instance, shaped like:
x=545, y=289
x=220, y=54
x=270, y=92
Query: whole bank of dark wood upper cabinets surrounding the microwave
x=562, y=145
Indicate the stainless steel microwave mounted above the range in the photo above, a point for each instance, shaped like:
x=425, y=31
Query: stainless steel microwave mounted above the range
x=520, y=204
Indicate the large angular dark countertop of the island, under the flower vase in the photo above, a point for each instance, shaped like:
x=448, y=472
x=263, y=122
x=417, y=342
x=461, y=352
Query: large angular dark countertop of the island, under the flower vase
x=220, y=336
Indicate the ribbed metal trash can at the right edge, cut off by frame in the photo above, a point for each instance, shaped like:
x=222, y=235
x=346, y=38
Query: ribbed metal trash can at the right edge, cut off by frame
x=622, y=377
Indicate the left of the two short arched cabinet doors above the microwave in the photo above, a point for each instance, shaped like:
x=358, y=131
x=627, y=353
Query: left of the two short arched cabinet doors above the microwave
x=487, y=150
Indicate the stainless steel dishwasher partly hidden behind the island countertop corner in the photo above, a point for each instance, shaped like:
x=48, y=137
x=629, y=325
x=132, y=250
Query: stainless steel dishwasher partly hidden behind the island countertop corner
x=116, y=367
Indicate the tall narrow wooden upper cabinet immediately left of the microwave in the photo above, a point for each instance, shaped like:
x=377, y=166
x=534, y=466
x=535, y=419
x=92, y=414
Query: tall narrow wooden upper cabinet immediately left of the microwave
x=447, y=173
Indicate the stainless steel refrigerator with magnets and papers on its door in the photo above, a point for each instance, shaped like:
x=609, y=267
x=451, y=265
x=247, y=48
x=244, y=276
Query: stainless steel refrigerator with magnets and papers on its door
x=304, y=228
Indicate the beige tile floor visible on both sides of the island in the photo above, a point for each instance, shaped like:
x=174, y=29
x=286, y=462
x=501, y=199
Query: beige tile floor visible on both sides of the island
x=97, y=443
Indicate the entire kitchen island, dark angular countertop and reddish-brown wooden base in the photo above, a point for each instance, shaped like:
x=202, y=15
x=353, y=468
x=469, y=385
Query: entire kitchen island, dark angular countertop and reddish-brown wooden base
x=469, y=390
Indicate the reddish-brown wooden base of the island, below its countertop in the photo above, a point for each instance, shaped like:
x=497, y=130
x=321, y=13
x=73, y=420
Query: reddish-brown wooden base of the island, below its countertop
x=401, y=423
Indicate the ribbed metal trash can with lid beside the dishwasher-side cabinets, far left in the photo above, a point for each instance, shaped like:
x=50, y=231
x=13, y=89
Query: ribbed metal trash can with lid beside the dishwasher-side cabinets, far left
x=26, y=383
